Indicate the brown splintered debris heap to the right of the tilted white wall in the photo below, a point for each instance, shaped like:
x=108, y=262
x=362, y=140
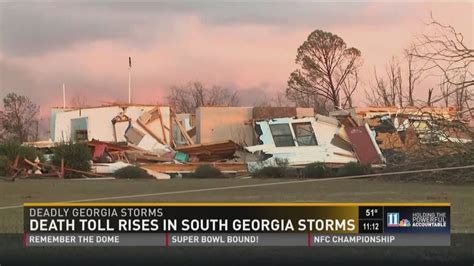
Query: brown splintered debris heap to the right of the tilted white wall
x=405, y=133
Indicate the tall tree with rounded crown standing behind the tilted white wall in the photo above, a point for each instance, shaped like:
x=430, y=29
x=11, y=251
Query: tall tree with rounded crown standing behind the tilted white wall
x=325, y=64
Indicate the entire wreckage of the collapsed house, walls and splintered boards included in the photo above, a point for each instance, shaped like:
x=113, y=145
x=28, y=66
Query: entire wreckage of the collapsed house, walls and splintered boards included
x=243, y=139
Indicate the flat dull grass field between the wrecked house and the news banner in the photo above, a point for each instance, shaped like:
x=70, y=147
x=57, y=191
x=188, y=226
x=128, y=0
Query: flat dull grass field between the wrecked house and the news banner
x=14, y=194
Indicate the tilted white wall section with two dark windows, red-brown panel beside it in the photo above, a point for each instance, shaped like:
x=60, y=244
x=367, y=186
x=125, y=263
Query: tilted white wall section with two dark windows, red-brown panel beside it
x=300, y=141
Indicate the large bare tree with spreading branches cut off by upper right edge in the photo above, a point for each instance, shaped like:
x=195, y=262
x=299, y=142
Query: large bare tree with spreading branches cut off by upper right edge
x=445, y=52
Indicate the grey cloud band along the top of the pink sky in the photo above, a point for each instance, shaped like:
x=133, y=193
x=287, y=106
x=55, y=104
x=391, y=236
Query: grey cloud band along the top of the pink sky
x=33, y=28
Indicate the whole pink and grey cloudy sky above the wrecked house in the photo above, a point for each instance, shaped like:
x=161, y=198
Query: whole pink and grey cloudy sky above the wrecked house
x=248, y=47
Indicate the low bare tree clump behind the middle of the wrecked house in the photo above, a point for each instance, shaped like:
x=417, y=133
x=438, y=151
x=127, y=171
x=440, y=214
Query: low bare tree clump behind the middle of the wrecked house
x=186, y=98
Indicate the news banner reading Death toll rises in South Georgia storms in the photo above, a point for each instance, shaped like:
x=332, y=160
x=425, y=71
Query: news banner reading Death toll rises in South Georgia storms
x=236, y=224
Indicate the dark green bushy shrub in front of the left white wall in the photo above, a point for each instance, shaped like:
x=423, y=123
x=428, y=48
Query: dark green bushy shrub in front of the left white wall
x=76, y=156
